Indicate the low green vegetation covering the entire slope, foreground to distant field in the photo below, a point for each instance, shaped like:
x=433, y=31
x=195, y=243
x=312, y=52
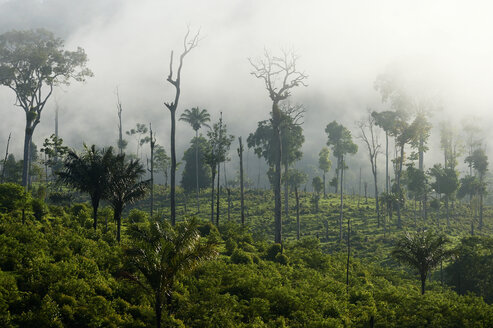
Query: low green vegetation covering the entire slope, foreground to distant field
x=56, y=270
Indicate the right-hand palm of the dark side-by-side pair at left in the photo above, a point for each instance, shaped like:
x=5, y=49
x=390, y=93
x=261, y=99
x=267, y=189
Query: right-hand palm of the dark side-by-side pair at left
x=124, y=186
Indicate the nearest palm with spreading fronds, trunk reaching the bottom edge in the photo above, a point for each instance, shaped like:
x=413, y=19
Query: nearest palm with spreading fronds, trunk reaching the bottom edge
x=161, y=253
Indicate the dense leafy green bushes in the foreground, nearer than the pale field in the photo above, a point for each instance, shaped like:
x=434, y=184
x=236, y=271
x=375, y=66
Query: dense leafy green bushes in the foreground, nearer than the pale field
x=60, y=272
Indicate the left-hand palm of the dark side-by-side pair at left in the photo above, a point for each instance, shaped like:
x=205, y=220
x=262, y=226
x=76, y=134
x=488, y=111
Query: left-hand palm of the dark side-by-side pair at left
x=87, y=173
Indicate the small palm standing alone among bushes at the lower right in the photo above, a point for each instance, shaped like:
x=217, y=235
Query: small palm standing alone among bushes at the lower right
x=423, y=251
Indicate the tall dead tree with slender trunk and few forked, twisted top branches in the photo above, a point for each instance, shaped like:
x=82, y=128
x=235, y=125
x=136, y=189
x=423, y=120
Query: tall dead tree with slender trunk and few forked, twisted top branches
x=188, y=45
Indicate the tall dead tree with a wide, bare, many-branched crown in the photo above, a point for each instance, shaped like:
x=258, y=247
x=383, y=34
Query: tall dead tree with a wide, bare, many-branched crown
x=280, y=75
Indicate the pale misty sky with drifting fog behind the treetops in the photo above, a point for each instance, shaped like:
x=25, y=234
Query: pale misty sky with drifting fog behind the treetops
x=439, y=49
